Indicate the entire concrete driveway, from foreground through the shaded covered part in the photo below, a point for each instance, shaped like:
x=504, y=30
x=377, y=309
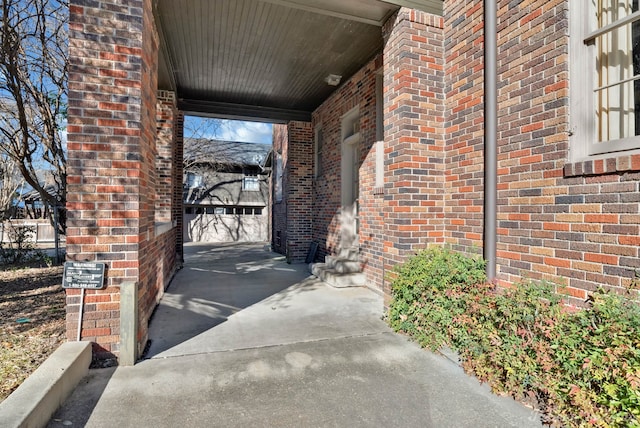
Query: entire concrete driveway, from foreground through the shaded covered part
x=241, y=339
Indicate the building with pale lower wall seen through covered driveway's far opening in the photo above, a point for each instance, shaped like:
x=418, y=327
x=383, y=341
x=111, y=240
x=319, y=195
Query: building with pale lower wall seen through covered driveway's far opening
x=225, y=191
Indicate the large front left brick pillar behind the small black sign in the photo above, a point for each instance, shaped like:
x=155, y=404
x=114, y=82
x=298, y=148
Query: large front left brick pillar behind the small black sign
x=111, y=157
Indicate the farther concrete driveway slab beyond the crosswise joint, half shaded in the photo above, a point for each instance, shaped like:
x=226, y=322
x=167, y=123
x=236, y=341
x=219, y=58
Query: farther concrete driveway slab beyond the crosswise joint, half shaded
x=244, y=296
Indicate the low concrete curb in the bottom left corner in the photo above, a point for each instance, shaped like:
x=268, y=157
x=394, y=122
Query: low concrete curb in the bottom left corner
x=40, y=395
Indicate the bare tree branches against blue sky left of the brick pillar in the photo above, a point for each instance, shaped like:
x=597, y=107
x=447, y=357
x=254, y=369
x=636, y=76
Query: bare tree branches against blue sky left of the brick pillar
x=33, y=73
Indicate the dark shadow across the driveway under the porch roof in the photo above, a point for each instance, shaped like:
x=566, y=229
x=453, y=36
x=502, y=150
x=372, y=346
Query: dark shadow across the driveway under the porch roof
x=216, y=282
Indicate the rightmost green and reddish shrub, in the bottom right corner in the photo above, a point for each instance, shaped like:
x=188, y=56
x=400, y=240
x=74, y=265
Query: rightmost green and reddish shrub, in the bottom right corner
x=596, y=372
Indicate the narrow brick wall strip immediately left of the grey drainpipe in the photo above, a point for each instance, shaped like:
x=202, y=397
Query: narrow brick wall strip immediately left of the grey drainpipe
x=464, y=128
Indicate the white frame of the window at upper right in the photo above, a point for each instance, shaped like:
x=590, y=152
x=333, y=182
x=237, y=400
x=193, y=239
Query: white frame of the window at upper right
x=584, y=144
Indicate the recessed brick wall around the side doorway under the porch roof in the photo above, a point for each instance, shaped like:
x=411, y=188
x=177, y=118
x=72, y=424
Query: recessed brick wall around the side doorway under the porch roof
x=359, y=91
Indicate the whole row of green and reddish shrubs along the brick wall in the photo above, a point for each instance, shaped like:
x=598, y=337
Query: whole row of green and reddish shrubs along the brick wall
x=582, y=368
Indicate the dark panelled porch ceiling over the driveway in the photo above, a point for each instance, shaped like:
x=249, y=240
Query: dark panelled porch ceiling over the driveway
x=266, y=59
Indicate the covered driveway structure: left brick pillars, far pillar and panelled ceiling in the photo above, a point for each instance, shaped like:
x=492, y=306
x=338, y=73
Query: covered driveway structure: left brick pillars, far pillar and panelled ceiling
x=136, y=67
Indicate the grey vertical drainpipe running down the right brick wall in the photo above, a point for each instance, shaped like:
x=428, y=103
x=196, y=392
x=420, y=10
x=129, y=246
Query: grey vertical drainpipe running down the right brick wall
x=490, y=137
